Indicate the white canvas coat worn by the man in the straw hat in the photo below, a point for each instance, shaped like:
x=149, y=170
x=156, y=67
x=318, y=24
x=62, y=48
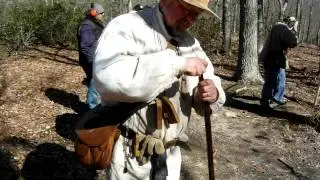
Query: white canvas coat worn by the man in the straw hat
x=133, y=64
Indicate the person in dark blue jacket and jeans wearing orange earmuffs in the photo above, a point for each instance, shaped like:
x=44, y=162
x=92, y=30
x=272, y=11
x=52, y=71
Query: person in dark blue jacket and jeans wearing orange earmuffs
x=89, y=32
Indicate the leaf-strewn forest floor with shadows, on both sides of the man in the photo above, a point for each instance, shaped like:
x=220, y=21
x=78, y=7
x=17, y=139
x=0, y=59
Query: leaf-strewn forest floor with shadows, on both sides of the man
x=42, y=97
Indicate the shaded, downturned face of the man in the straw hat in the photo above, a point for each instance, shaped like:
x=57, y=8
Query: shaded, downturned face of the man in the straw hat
x=179, y=15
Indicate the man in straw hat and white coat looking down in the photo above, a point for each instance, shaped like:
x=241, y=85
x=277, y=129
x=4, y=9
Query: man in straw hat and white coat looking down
x=146, y=56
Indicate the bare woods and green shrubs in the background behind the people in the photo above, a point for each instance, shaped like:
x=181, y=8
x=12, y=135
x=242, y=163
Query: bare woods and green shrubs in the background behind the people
x=54, y=22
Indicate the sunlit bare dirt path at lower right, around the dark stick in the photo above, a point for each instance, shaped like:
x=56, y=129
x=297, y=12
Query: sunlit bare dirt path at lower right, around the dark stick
x=253, y=147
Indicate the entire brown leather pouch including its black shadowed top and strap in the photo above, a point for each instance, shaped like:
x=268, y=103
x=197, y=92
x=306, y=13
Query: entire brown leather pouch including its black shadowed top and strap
x=97, y=132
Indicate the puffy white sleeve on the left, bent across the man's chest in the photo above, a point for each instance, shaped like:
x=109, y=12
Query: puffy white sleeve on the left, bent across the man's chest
x=123, y=72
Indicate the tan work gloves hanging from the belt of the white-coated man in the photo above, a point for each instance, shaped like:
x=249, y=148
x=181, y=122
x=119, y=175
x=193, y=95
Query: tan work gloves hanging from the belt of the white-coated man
x=146, y=146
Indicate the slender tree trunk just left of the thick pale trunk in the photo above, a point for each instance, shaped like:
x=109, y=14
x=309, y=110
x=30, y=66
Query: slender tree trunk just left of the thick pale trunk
x=226, y=26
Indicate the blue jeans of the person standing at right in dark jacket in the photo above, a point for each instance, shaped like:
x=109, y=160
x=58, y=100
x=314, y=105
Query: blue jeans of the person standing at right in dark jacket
x=274, y=86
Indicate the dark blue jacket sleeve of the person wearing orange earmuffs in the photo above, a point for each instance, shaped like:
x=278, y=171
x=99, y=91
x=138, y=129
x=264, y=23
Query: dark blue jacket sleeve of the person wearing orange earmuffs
x=87, y=38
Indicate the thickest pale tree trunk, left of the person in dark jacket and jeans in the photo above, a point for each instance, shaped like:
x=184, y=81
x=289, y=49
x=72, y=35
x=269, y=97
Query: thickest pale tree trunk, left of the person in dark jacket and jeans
x=247, y=66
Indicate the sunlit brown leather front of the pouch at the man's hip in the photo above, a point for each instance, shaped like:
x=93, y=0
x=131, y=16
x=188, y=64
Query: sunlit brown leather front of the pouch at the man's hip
x=95, y=146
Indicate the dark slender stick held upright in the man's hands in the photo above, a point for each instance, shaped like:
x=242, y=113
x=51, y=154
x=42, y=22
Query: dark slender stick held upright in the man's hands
x=207, y=120
